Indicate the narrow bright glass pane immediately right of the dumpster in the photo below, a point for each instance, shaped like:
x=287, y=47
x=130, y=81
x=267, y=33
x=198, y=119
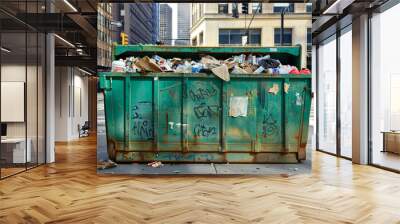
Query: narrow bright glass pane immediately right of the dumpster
x=327, y=97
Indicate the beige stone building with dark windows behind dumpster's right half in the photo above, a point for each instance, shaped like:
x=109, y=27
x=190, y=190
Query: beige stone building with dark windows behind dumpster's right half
x=214, y=25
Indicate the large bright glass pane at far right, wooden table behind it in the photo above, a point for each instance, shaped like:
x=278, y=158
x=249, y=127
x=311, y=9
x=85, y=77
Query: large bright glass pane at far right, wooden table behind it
x=385, y=89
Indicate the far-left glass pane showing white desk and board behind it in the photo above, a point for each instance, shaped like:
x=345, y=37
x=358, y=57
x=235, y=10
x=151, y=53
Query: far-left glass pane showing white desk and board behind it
x=13, y=87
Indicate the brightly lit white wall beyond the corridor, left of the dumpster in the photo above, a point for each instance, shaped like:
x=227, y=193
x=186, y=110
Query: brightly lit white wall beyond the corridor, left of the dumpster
x=71, y=102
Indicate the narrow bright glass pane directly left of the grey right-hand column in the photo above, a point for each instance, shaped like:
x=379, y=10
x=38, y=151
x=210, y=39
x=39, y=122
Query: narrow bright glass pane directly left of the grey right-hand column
x=346, y=94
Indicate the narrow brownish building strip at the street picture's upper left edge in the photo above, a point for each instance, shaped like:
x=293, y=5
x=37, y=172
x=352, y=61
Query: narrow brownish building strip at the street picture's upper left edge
x=104, y=32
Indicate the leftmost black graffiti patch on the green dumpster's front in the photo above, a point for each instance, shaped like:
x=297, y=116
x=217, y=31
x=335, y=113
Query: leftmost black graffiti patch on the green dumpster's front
x=142, y=126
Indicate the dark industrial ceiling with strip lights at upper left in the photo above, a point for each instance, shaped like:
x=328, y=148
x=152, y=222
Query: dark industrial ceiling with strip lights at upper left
x=74, y=21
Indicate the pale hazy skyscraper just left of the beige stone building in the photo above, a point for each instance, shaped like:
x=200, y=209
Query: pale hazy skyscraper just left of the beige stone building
x=183, y=24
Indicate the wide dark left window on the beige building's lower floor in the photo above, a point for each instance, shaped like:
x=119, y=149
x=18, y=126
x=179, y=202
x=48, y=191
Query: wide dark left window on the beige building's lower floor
x=234, y=36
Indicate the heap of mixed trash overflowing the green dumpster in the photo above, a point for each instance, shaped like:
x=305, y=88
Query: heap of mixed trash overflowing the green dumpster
x=241, y=64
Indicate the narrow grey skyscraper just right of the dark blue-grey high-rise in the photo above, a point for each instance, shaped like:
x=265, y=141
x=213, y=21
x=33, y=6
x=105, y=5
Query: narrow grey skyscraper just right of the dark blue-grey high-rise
x=166, y=24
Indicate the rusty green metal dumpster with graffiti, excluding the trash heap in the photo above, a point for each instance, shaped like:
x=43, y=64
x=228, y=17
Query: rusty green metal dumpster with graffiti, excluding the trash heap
x=198, y=118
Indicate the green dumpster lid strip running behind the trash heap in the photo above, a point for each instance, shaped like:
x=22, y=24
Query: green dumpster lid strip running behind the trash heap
x=286, y=55
